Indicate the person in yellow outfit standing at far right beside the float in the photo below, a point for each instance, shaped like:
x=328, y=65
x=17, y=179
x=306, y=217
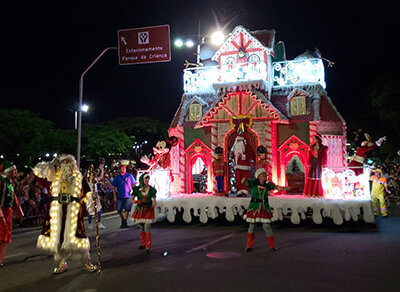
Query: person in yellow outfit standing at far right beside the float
x=379, y=186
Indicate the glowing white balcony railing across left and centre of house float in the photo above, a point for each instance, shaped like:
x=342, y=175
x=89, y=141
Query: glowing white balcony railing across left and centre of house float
x=202, y=79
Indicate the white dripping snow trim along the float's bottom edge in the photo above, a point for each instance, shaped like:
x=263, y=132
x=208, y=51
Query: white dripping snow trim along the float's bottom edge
x=205, y=206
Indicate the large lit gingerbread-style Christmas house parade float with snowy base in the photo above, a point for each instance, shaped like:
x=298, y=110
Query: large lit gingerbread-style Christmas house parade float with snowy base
x=248, y=94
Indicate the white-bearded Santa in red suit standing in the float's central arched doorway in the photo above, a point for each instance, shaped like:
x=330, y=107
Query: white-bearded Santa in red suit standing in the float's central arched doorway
x=242, y=162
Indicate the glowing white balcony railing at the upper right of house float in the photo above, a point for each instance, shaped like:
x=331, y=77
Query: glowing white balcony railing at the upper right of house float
x=289, y=73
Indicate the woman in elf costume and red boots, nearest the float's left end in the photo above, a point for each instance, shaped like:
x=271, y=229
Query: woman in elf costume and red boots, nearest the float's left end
x=144, y=196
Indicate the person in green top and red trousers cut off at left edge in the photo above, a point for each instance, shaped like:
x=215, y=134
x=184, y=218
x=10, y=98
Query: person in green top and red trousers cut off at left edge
x=8, y=203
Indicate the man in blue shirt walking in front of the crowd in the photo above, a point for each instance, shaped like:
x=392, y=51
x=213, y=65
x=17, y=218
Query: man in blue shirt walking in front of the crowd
x=123, y=185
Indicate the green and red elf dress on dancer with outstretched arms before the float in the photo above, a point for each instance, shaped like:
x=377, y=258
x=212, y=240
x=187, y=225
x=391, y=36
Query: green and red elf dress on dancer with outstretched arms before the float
x=258, y=209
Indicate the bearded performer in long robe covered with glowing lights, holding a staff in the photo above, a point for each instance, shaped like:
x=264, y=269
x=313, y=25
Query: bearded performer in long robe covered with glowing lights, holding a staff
x=63, y=233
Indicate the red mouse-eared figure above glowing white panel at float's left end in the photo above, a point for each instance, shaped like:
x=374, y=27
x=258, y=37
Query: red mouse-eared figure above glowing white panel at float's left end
x=160, y=166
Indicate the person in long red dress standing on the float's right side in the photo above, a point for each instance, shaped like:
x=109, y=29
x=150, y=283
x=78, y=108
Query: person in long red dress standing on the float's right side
x=317, y=155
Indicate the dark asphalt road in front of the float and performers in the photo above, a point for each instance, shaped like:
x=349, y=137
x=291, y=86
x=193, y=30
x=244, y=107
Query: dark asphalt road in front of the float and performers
x=210, y=257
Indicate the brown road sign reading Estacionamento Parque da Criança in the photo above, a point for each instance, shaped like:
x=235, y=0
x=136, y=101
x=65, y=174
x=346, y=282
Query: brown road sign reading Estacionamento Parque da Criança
x=144, y=45
